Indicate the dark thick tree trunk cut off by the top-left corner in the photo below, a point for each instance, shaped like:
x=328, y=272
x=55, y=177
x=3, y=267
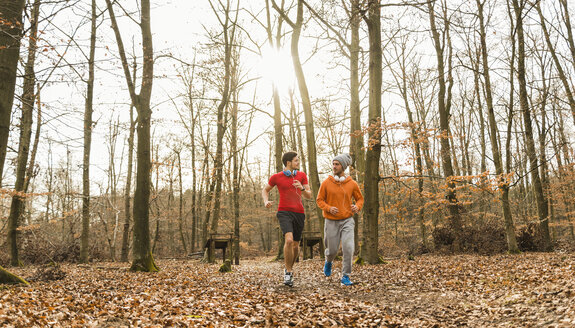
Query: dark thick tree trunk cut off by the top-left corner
x=10, y=35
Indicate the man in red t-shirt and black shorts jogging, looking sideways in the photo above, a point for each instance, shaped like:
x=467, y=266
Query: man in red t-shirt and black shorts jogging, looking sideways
x=292, y=184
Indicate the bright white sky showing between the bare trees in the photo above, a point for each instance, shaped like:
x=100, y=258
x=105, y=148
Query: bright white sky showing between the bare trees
x=179, y=28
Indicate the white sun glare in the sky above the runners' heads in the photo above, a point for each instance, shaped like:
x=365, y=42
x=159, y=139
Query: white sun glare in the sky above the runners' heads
x=276, y=67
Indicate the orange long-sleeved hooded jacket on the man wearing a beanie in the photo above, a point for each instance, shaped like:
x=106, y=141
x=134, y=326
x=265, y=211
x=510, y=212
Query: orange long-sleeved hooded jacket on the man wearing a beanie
x=338, y=194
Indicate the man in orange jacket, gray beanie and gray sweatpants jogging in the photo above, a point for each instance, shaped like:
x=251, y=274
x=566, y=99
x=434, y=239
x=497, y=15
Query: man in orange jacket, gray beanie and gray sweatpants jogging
x=335, y=199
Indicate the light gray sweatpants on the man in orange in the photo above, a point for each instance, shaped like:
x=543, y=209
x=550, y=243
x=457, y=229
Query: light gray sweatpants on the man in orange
x=336, y=232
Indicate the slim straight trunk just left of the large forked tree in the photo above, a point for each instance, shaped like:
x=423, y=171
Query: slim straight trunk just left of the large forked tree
x=85, y=239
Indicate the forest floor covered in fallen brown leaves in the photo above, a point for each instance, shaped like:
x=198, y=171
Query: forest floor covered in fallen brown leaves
x=527, y=290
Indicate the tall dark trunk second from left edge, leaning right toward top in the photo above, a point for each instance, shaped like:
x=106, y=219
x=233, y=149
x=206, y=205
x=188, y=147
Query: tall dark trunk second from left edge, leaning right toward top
x=17, y=205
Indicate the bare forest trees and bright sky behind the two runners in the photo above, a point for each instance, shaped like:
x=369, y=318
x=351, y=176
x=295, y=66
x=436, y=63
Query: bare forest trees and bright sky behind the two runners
x=458, y=114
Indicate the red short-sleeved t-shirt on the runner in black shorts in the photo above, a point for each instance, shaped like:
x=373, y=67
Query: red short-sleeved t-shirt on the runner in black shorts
x=290, y=196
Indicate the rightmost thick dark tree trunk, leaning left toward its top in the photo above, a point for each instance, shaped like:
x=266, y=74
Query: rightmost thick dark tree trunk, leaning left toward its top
x=541, y=201
